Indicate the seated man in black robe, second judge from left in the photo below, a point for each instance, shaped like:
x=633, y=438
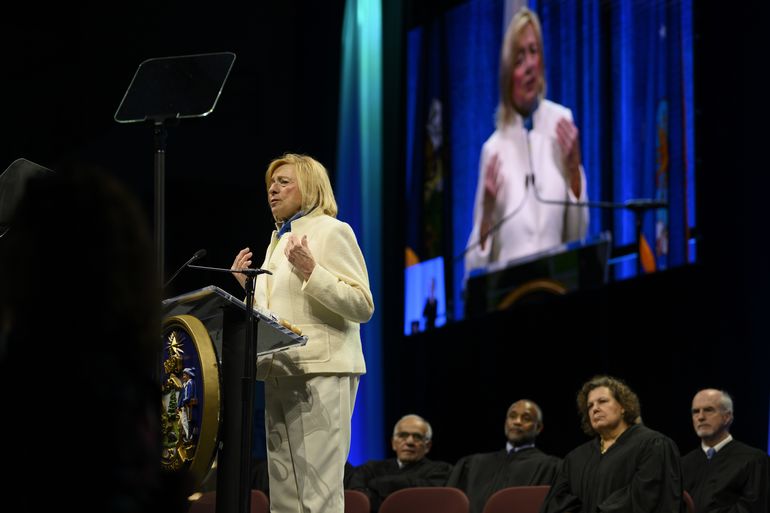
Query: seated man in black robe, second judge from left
x=518, y=464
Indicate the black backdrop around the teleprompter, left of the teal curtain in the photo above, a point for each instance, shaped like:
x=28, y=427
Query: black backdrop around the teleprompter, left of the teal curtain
x=66, y=70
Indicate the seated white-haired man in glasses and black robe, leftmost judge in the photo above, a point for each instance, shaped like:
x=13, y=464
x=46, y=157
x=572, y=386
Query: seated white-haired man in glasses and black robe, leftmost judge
x=410, y=468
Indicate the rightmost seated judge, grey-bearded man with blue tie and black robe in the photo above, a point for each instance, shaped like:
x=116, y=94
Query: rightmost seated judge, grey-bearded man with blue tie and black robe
x=723, y=475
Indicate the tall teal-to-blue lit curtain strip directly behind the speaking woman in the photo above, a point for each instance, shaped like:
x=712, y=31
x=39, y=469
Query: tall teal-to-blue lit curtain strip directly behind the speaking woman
x=358, y=186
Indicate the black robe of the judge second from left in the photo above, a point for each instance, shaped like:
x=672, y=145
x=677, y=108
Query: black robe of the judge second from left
x=481, y=475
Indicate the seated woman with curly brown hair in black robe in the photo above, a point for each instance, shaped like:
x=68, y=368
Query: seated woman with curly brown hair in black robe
x=627, y=468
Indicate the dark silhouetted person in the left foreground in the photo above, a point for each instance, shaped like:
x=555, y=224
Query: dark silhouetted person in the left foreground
x=79, y=295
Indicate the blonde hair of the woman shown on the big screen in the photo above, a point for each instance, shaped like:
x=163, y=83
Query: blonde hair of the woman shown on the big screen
x=523, y=17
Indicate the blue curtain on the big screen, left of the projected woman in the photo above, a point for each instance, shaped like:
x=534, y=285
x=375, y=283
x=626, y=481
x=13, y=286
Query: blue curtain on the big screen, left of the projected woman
x=465, y=43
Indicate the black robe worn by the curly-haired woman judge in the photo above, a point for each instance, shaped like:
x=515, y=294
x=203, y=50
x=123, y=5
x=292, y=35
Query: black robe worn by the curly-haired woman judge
x=639, y=473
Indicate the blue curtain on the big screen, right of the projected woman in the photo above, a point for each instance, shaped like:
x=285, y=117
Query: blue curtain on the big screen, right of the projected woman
x=625, y=69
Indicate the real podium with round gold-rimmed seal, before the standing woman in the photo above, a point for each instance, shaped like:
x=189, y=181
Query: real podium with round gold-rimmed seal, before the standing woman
x=203, y=387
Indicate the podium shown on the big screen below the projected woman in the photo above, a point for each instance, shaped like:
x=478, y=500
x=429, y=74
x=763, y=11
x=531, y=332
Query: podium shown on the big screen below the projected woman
x=565, y=268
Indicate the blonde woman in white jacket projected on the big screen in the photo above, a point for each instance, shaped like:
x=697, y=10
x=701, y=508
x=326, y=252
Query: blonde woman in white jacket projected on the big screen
x=535, y=145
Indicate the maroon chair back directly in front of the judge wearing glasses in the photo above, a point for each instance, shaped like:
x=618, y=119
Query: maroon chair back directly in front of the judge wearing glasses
x=426, y=499
